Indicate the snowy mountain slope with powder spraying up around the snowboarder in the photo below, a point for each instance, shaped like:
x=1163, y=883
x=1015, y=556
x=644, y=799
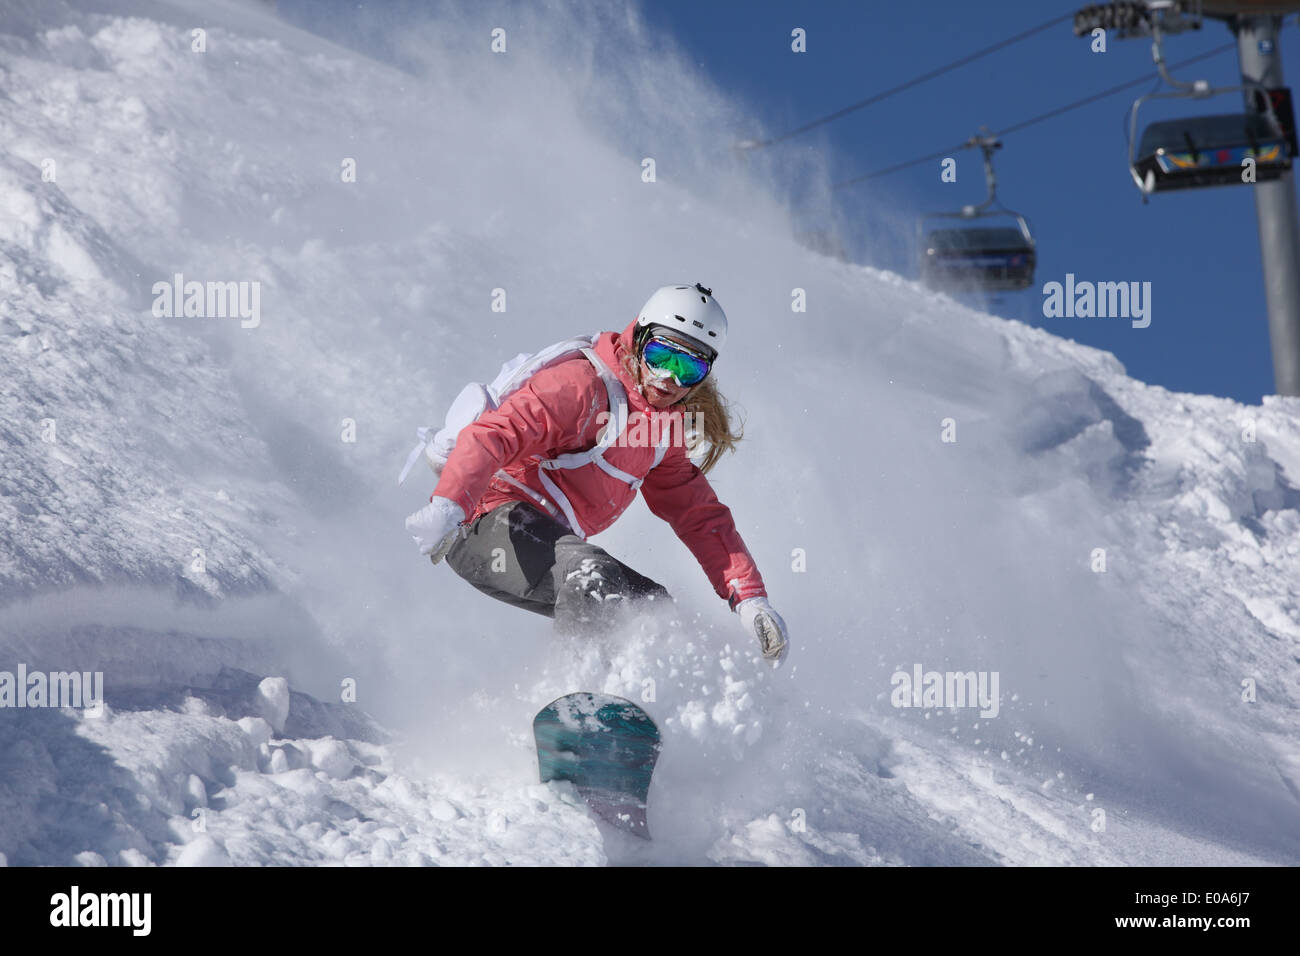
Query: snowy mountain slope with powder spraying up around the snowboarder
x=1121, y=691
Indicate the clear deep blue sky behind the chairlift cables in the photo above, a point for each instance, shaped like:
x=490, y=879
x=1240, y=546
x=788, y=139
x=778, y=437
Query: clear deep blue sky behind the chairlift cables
x=1069, y=176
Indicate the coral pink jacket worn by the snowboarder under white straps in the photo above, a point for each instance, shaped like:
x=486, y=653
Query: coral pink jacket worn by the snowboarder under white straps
x=562, y=409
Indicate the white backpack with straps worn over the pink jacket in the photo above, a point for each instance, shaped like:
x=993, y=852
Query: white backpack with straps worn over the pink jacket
x=476, y=399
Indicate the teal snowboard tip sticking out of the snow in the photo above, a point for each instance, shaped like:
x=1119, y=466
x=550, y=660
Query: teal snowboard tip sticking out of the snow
x=606, y=747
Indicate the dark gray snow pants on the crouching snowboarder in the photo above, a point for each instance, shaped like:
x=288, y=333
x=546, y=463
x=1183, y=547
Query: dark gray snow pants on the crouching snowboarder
x=519, y=555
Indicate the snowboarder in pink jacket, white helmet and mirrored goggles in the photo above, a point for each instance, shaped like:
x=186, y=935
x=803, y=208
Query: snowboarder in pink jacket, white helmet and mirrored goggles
x=531, y=481
